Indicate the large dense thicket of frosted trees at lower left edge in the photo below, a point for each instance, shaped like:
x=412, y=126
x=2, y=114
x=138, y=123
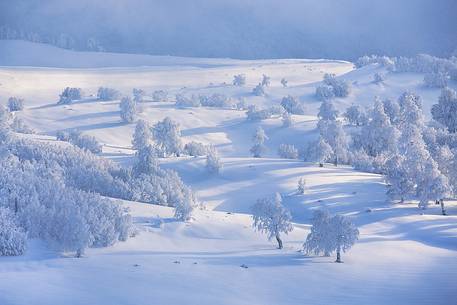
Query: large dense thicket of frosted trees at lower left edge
x=47, y=192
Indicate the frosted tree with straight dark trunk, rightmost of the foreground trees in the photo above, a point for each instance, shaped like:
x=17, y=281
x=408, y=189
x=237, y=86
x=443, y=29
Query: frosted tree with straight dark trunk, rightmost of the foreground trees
x=344, y=233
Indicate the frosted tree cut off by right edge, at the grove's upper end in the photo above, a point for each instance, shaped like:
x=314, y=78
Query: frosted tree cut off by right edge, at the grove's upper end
x=445, y=112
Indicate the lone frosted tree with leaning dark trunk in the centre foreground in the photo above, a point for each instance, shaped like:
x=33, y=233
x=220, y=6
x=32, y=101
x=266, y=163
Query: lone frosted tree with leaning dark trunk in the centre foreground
x=272, y=218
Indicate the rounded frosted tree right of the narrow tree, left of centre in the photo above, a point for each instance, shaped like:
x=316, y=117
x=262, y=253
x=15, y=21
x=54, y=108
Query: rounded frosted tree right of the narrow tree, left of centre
x=167, y=135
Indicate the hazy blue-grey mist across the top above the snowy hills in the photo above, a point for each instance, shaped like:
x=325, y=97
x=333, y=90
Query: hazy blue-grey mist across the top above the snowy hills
x=247, y=29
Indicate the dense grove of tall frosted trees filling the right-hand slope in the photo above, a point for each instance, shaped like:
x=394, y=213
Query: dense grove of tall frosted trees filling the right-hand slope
x=418, y=159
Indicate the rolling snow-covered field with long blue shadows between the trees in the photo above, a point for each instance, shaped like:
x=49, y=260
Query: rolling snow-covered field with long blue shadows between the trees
x=404, y=255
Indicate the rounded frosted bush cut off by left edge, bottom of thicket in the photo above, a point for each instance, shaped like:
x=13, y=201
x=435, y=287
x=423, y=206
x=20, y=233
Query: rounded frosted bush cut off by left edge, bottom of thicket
x=12, y=236
